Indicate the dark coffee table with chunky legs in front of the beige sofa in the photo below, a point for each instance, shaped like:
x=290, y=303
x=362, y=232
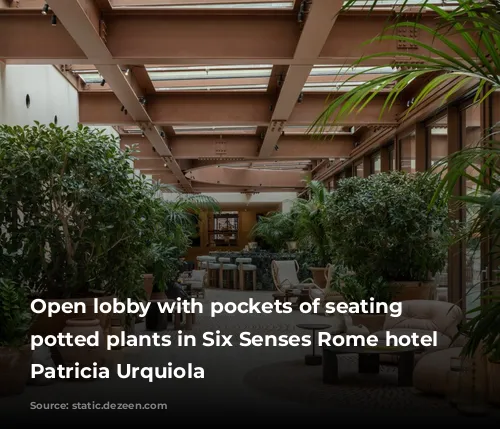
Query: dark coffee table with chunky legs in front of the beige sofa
x=369, y=361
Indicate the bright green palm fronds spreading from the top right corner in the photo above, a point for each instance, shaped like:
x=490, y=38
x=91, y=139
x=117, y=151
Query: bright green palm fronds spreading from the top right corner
x=472, y=23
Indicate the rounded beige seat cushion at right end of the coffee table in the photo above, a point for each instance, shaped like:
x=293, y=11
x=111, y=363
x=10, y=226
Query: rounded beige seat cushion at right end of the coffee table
x=431, y=372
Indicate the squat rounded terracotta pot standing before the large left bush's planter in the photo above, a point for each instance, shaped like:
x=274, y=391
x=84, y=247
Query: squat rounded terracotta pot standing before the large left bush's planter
x=89, y=354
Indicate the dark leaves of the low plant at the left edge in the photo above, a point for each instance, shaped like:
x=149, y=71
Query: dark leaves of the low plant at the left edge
x=15, y=315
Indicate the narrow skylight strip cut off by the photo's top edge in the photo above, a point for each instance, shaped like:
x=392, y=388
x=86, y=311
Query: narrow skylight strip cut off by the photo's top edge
x=202, y=4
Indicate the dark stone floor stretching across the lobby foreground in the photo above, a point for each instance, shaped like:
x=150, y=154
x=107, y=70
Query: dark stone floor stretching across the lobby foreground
x=264, y=383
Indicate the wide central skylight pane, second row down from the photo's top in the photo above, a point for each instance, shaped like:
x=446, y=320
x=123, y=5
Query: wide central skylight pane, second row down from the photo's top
x=210, y=78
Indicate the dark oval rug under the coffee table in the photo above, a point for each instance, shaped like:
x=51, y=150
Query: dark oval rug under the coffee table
x=294, y=381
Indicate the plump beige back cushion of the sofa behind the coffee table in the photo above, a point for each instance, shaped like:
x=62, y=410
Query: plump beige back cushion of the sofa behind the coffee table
x=427, y=315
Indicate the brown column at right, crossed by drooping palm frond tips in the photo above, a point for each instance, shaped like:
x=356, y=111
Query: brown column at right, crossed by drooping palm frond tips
x=456, y=252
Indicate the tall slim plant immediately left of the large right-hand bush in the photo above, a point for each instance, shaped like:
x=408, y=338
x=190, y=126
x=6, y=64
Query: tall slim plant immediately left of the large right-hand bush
x=310, y=223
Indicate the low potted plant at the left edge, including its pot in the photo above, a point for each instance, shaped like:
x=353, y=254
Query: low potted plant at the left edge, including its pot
x=15, y=352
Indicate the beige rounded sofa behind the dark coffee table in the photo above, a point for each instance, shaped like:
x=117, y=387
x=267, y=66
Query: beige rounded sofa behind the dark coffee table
x=423, y=317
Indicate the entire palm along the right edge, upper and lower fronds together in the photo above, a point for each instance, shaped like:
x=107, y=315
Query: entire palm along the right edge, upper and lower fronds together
x=470, y=34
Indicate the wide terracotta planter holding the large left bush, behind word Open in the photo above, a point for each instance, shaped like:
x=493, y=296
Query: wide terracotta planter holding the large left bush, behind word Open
x=44, y=325
